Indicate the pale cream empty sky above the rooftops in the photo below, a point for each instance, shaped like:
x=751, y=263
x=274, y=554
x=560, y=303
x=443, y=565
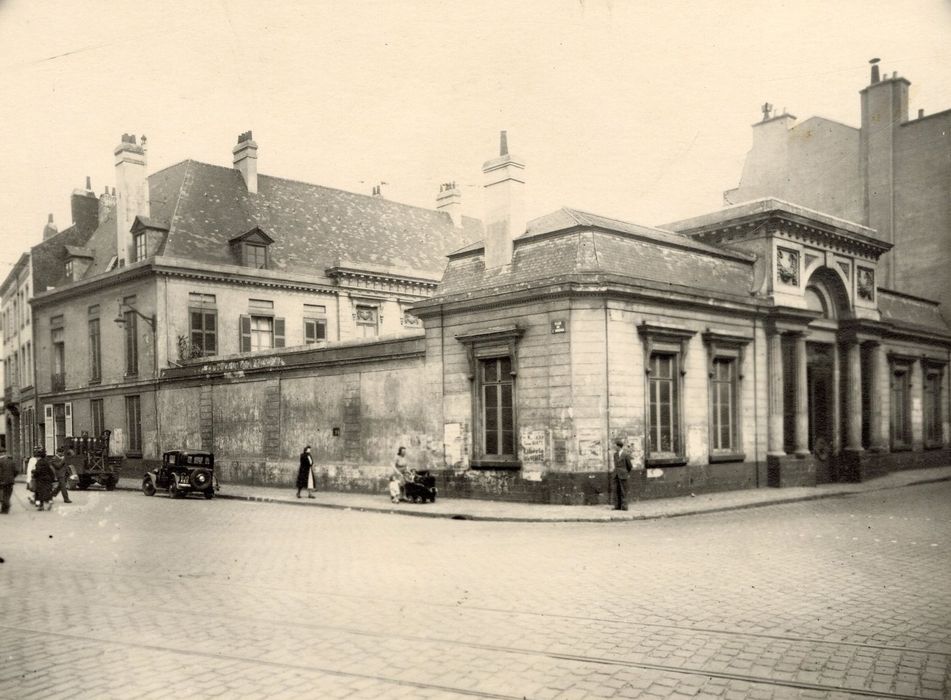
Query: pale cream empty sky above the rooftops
x=638, y=110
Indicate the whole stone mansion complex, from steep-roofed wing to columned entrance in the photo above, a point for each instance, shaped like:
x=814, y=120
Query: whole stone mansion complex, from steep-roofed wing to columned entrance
x=755, y=346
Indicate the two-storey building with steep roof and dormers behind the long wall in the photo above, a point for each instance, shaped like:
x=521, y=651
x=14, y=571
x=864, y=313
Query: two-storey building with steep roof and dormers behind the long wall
x=199, y=261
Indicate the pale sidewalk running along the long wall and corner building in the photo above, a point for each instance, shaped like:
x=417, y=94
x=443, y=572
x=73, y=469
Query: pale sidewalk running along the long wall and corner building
x=471, y=509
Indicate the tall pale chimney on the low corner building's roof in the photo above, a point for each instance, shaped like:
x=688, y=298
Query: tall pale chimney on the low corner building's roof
x=504, y=205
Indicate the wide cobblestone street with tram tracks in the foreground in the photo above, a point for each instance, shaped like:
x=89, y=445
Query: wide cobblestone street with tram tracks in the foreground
x=118, y=595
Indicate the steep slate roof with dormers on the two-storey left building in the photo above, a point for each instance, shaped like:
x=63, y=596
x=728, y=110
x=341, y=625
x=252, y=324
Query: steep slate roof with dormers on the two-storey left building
x=204, y=207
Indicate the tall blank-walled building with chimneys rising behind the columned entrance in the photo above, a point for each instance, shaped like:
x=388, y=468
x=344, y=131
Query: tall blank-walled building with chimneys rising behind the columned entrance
x=892, y=174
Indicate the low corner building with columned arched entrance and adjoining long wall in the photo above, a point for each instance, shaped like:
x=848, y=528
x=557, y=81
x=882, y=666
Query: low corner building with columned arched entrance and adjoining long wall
x=748, y=348
